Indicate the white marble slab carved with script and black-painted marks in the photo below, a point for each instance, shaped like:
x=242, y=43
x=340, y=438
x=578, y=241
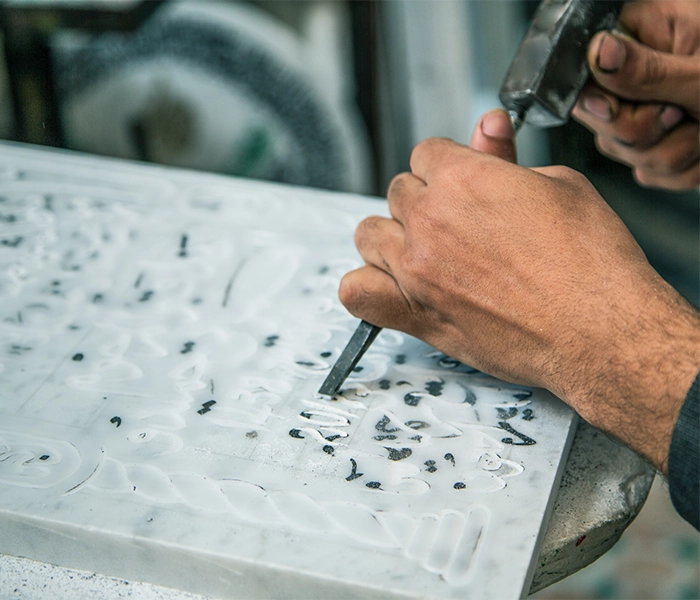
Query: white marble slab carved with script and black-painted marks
x=162, y=337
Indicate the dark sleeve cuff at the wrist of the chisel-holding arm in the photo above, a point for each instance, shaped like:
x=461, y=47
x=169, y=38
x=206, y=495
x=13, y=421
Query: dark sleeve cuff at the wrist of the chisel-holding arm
x=684, y=459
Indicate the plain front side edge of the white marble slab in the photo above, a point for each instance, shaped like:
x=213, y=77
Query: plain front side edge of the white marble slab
x=133, y=559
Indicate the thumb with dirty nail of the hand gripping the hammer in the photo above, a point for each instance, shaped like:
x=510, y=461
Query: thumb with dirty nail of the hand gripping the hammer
x=633, y=71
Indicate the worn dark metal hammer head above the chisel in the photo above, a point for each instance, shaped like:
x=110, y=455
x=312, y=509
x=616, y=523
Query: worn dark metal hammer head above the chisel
x=549, y=69
